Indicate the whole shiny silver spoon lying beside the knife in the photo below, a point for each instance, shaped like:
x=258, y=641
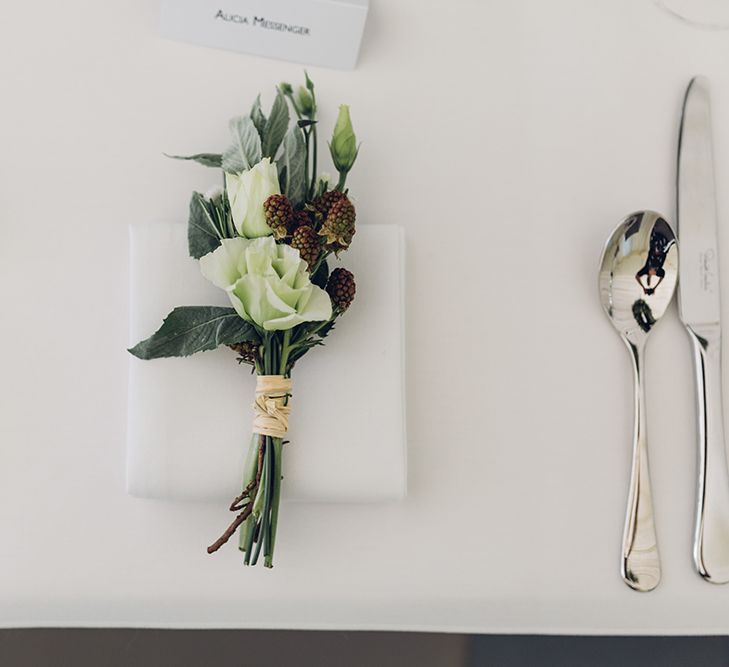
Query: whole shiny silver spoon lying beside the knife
x=638, y=277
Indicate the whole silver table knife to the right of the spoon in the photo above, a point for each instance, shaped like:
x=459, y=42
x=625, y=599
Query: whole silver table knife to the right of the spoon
x=700, y=310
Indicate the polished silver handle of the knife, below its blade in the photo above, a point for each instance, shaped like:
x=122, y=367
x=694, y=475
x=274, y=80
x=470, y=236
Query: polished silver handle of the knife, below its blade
x=711, y=537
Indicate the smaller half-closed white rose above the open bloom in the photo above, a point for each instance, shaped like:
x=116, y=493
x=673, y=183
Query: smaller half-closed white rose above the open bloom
x=246, y=192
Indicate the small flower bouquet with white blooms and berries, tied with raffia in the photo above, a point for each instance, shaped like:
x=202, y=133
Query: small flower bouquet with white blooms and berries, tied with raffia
x=266, y=238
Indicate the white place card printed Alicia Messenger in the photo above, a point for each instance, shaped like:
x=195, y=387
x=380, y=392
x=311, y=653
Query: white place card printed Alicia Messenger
x=313, y=32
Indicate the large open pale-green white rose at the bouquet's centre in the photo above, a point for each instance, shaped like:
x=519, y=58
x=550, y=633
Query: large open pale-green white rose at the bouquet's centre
x=267, y=283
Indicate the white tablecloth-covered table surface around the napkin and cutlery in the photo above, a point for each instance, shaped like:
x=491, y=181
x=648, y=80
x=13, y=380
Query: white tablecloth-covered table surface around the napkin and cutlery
x=507, y=137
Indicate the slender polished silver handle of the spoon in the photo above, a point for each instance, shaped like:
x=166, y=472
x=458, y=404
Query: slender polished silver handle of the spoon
x=640, y=565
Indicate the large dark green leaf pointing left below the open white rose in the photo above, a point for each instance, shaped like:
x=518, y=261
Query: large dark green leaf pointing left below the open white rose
x=190, y=329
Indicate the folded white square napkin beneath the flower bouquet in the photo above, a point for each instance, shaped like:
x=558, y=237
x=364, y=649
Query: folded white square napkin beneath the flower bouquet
x=189, y=419
